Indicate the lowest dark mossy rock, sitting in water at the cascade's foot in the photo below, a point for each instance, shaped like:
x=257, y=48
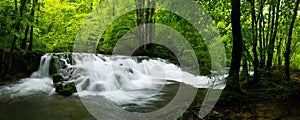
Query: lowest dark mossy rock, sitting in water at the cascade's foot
x=65, y=90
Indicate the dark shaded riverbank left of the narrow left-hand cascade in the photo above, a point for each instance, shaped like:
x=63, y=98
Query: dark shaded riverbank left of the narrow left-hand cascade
x=22, y=65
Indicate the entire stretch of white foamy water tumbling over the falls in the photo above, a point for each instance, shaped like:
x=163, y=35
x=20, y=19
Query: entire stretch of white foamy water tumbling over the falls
x=120, y=79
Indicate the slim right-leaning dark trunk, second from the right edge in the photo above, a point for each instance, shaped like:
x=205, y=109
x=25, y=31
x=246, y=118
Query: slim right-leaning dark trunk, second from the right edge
x=272, y=40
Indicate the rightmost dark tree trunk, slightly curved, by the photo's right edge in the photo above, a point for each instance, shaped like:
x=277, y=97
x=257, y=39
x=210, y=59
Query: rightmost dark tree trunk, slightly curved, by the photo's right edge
x=288, y=45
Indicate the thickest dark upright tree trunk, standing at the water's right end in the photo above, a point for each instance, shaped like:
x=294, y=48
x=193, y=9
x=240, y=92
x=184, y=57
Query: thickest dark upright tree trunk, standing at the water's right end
x=237, y=46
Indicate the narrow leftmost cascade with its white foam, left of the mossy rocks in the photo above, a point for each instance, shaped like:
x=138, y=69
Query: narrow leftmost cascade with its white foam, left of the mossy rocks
x=38, y=82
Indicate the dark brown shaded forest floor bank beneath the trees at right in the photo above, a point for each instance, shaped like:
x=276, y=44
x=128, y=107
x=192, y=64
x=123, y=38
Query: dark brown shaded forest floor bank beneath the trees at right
x=271, y=99
